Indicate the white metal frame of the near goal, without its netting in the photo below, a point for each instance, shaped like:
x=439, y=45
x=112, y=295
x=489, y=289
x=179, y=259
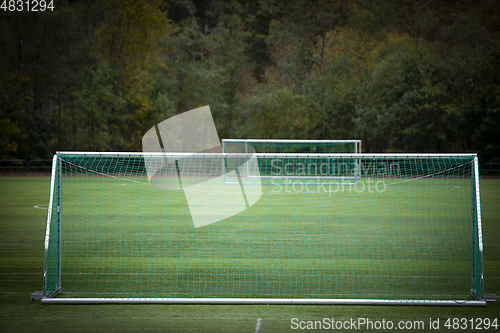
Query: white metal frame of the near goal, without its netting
x=55, y=197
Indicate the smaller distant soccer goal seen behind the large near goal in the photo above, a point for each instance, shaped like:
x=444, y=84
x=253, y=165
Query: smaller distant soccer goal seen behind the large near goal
x=312, y=171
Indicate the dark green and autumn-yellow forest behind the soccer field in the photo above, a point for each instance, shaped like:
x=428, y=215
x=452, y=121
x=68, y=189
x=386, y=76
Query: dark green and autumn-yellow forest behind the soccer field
x=401, y=75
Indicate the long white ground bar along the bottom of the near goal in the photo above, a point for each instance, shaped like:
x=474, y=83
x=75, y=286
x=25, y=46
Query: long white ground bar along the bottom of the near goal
x=263, y=301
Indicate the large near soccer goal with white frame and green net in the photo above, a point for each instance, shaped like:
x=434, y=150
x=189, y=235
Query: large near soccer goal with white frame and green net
x=407, y=232
